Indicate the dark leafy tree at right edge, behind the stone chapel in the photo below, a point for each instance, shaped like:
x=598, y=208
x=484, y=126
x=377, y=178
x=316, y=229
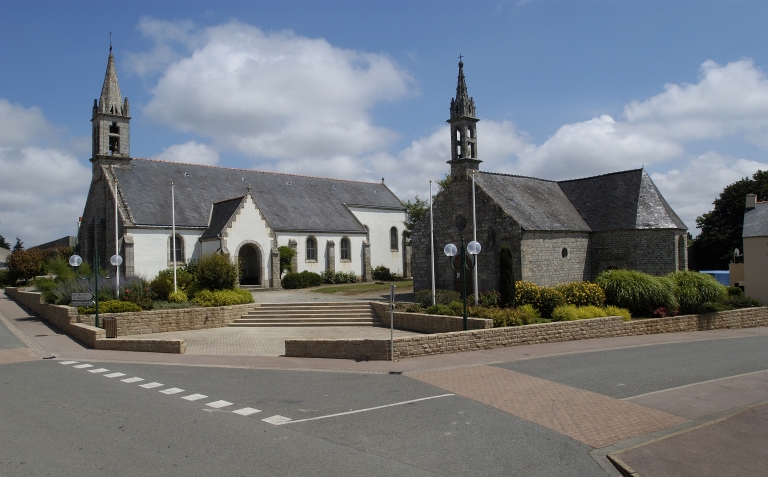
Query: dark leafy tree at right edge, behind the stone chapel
x=722, y=227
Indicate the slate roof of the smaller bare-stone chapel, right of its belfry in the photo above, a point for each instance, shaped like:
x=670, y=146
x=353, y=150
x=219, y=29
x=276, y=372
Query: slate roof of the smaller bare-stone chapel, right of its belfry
x=618, y=201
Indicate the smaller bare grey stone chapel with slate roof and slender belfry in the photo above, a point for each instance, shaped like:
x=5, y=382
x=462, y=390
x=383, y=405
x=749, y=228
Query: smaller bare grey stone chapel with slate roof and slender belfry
x=559, y=231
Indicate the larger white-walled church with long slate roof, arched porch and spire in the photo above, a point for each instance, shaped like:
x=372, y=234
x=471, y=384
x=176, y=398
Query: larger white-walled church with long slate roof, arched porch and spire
x=332, y=224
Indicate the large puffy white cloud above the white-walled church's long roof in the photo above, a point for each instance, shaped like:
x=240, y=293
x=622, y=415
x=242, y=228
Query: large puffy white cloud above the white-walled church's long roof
x=278, y=95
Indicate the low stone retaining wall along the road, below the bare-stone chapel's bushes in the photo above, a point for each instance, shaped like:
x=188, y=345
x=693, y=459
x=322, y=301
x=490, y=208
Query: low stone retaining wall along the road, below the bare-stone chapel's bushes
x=473, y=340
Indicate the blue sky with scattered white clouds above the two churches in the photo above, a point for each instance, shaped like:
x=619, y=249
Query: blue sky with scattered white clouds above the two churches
x=361, y=90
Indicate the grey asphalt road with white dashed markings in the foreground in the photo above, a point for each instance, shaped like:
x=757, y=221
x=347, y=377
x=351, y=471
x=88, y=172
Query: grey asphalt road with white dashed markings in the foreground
x=66, y=418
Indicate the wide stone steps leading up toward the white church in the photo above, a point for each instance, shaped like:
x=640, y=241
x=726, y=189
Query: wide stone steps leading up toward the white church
x=310, y=314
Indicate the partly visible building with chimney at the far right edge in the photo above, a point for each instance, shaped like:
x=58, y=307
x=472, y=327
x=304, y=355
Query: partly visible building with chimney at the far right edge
x=755, y=267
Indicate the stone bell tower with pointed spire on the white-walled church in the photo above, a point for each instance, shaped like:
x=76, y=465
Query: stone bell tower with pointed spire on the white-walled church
x=111, y=120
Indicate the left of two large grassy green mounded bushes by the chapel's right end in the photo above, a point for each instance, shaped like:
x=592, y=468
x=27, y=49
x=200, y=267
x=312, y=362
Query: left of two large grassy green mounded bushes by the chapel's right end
x=638, y=292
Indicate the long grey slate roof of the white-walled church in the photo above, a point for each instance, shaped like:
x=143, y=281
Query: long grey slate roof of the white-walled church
x=288, y=202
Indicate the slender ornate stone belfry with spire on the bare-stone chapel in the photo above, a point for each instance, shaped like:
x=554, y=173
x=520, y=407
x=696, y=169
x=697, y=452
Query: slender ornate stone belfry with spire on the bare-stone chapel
x=463, y=131
